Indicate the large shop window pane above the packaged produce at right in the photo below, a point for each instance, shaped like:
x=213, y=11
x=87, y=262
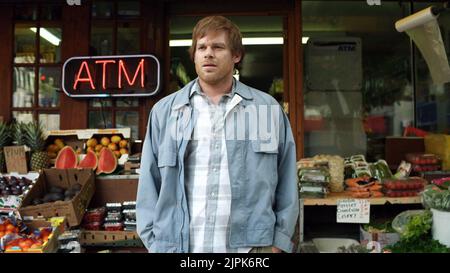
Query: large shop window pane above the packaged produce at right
x=357, y=84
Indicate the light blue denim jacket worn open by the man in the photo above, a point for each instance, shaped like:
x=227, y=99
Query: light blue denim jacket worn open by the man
x=262, y=170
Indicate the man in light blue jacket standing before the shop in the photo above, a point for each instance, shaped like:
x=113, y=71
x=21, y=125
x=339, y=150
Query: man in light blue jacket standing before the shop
x=218, y=170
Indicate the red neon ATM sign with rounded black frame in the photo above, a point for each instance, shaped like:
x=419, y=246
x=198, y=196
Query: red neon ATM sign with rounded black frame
x=111, y=76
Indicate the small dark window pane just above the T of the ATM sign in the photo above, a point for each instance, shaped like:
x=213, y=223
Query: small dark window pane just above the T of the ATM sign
x=102, y=40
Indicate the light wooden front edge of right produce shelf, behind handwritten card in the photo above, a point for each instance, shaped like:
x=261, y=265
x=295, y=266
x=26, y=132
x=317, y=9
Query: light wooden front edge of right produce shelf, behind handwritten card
x=332, y=198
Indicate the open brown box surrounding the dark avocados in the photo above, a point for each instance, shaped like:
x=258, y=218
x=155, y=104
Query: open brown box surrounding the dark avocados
x=74, y=209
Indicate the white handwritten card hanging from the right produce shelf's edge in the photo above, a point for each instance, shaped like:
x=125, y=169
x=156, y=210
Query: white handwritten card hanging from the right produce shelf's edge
x=353, y=211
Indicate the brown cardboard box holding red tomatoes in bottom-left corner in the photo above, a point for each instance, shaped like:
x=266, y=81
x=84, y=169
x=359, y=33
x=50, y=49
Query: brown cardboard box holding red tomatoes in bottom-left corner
x=52, y=245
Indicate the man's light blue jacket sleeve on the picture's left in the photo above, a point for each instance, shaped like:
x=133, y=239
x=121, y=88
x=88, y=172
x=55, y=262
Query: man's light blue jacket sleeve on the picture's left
x=149, y=183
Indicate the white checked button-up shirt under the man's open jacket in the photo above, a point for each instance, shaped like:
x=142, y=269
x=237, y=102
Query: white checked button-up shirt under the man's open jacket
x=207, y=180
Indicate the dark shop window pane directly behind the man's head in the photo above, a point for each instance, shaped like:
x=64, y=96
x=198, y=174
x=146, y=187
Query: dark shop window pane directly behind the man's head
x=262, y=66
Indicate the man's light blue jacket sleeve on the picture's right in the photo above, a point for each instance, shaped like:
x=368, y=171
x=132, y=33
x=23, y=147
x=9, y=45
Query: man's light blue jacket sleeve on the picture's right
x=286, y=199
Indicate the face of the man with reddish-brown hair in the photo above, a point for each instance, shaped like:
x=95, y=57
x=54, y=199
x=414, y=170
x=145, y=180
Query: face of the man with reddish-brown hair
x=213, y=59
